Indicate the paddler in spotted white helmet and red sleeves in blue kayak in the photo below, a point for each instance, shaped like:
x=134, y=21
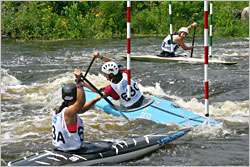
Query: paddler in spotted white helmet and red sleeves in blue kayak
x=118, y=88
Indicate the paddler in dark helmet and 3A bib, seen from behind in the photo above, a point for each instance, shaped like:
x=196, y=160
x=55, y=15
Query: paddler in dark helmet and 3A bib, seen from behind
x=67, y=126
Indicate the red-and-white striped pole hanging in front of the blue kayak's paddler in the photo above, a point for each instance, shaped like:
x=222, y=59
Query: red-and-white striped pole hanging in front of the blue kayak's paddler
x=128, y=49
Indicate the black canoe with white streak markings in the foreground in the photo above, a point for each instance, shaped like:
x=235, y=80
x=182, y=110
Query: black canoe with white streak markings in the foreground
x=101, y=152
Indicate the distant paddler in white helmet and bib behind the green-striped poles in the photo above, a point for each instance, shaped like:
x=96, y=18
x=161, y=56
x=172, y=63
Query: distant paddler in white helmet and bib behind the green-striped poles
x=177, y=42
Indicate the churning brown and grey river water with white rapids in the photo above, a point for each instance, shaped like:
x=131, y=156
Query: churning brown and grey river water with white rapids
x=32, y=72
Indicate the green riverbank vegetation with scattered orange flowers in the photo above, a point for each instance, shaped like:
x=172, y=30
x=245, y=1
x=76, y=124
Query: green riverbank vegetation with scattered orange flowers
x=48, y=20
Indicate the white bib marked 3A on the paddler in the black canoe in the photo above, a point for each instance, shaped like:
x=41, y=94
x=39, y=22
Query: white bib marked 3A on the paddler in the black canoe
x=62, y=138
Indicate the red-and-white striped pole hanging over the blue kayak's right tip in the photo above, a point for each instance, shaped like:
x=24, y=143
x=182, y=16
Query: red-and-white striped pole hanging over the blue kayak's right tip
x=206, y=56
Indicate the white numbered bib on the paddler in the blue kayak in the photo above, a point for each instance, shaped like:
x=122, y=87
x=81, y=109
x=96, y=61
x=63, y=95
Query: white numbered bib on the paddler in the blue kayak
x=121, y=90
